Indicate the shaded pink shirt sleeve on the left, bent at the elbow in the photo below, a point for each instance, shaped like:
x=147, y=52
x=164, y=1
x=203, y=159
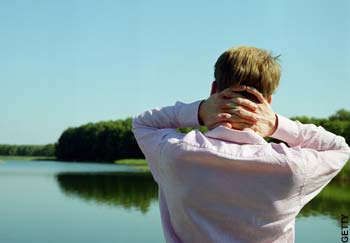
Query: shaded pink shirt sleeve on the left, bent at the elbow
x=151, y=127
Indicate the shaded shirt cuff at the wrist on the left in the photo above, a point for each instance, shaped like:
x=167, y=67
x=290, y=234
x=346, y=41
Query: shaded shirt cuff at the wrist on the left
x=188, y=113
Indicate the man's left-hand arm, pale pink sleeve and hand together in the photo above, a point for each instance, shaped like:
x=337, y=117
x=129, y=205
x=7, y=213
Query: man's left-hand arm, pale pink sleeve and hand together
x=151, y=127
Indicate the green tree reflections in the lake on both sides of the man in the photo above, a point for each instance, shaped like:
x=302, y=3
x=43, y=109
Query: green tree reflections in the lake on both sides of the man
x=138, y=190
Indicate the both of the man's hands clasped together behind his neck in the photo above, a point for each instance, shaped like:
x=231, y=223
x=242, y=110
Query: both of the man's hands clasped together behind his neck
x=232, y=110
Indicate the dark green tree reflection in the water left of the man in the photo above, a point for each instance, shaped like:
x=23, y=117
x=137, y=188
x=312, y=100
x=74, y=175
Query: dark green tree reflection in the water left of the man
x=128, y=190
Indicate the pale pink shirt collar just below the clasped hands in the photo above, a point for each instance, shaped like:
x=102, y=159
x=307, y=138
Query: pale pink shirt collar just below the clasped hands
x=235, y=136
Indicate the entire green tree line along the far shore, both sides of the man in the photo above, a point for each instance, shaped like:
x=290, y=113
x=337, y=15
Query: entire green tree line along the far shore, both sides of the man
x=108, y=141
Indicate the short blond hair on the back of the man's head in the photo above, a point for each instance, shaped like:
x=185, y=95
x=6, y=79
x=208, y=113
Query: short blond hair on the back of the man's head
x=248, y=66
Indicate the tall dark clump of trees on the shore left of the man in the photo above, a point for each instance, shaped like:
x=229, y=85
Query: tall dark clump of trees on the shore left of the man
x=101, y=141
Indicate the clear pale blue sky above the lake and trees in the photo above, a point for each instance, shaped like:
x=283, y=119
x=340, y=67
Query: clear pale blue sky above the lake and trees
x=66, y=63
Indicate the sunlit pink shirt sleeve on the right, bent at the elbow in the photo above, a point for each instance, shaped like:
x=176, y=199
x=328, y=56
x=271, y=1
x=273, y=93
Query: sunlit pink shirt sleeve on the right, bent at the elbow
x=322, y=153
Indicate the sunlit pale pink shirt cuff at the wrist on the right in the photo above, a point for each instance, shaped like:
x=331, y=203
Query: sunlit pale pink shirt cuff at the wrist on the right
x=287, y=130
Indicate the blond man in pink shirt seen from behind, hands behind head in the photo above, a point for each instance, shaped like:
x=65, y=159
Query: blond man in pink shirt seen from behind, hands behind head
x=229, y=184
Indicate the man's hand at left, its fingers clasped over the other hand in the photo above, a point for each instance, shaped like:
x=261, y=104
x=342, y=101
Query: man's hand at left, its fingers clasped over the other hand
x=228, y=109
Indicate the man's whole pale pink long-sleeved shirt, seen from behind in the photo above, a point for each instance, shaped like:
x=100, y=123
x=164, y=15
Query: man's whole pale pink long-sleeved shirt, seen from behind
x=232, y=186
